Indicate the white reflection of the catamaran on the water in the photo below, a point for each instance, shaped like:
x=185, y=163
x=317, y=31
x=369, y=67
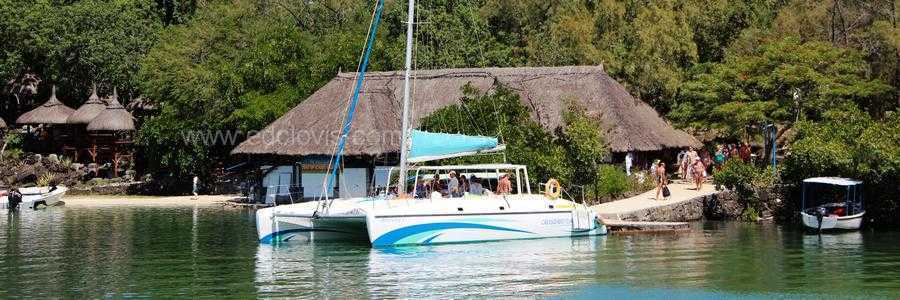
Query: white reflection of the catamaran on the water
x=445, y=271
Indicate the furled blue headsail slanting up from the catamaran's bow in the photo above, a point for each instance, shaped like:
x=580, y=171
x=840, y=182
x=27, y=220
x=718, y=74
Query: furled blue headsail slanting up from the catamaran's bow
x=345, y=130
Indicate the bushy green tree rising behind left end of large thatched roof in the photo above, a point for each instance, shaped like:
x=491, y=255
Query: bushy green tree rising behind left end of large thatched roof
x=235, y=68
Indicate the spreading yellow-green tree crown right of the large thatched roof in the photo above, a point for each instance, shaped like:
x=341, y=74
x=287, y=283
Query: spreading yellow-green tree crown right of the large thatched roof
x=782, y=82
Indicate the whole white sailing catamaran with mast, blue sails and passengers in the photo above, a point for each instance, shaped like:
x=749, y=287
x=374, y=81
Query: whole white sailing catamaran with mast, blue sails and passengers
x=400, y=218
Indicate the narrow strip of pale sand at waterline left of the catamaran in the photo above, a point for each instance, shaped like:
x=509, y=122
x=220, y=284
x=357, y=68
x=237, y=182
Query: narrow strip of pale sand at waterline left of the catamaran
x=156, y=201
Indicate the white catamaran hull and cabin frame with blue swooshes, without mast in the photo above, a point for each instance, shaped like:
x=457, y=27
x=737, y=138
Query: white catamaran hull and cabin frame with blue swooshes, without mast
x=389, y=221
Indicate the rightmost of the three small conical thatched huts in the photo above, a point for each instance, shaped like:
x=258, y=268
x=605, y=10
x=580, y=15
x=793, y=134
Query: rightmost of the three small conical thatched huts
x=111, y=133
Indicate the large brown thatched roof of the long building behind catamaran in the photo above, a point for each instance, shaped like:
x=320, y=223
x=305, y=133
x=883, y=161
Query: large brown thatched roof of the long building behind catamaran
x=310, y=128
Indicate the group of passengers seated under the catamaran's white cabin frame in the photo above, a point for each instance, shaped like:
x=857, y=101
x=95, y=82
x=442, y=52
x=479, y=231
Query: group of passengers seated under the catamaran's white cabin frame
x=459, y=185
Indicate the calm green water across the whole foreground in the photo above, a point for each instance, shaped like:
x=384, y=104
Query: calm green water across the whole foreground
x=191, y=252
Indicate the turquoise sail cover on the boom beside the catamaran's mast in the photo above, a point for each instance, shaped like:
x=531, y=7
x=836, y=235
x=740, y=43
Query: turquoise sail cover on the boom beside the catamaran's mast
x=432, y=146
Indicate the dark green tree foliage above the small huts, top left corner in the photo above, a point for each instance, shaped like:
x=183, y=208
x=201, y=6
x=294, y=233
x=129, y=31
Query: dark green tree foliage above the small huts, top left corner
x=75, y=43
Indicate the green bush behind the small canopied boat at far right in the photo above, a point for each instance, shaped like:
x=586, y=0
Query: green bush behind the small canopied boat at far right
x=849, y=143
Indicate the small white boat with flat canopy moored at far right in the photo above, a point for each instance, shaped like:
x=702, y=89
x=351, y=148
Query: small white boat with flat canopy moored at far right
x=832, y=203
